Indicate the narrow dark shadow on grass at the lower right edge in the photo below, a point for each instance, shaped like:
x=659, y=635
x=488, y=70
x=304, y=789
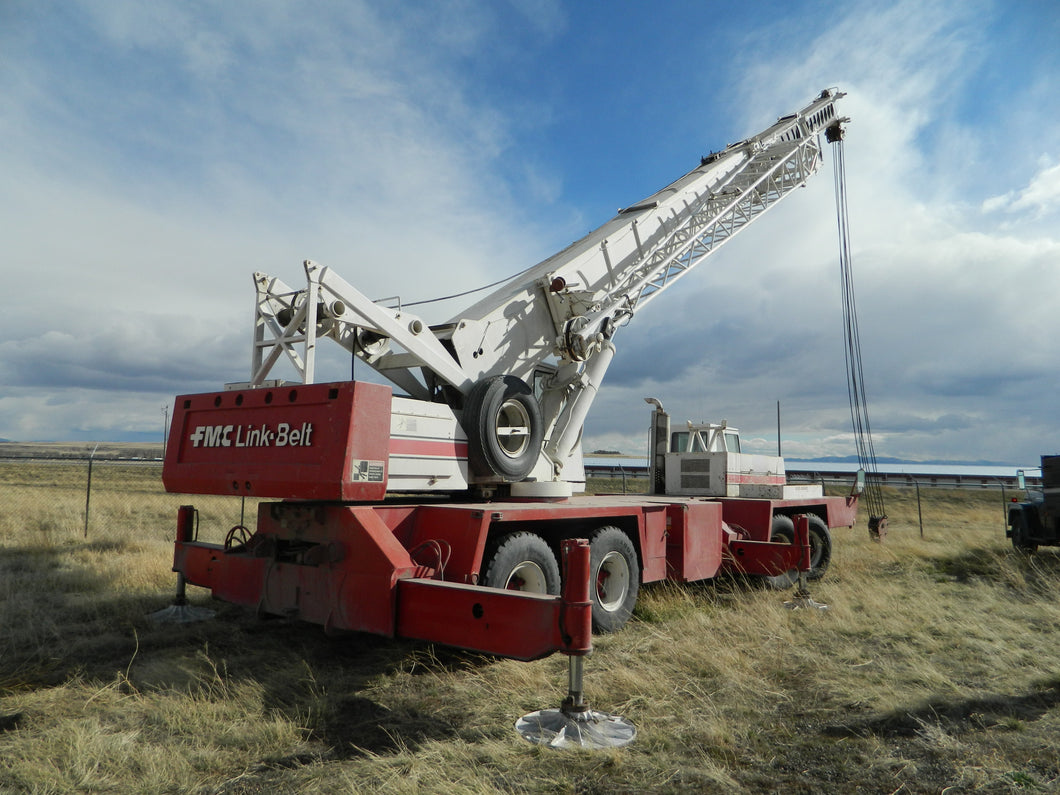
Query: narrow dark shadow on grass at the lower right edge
x=958, y=716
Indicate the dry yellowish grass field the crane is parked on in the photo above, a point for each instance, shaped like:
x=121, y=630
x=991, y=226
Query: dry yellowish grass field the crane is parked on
x=935, y=670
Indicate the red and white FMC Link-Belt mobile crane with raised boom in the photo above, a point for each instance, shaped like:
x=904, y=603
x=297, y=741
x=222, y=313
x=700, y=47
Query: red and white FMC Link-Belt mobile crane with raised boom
x=438, y=514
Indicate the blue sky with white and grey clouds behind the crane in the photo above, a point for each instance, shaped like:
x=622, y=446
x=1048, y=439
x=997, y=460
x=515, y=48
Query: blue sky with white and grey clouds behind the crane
x=155, y=155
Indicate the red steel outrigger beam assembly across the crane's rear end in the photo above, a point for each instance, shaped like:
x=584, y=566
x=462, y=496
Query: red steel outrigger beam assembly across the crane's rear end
x=391, y=602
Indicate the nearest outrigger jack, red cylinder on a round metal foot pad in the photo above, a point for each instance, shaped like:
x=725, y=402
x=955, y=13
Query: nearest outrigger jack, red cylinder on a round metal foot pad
x=574, y=725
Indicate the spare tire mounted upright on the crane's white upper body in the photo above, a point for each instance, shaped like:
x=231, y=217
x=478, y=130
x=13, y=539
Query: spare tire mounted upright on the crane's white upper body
x=505, y=431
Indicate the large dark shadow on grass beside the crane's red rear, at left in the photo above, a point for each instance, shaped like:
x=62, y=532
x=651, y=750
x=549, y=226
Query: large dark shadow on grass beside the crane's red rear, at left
x=66, y=621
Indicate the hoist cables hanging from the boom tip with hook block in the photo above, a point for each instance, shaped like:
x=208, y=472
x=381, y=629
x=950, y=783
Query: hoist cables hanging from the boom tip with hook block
x=856, y=377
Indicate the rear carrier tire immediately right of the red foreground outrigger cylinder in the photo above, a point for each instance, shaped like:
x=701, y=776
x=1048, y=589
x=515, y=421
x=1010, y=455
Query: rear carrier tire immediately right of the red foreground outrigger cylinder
x=614, y=579
